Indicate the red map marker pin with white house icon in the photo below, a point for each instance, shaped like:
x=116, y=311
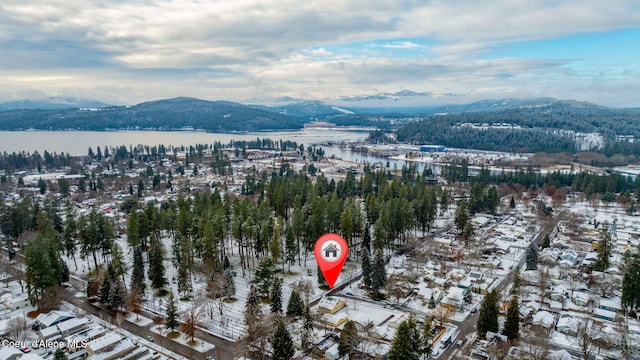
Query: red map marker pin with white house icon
x=331, y=252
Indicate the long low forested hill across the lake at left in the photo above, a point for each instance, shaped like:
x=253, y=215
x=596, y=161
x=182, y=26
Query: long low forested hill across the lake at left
x=214, y=116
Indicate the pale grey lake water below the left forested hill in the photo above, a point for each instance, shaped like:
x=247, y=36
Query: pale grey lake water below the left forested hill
x=78, y=142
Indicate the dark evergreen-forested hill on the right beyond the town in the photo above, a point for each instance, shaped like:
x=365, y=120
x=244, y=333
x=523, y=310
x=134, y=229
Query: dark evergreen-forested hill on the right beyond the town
x=543, y=129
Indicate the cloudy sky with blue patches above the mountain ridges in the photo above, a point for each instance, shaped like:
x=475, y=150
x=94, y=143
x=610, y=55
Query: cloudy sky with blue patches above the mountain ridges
x=128, y=51
